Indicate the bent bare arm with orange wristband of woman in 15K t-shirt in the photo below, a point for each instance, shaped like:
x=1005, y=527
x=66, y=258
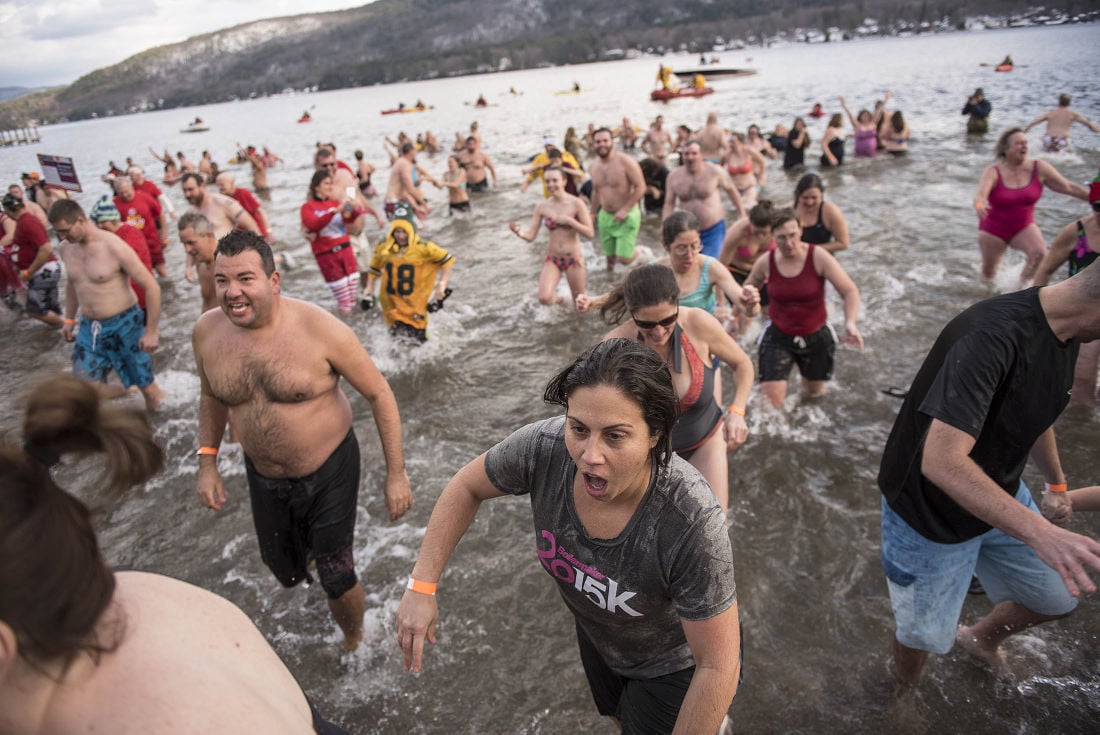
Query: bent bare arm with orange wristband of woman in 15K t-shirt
x=454, y=513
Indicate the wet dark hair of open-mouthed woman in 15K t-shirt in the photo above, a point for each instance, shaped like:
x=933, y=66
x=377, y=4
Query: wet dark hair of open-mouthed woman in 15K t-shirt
x=636, y=371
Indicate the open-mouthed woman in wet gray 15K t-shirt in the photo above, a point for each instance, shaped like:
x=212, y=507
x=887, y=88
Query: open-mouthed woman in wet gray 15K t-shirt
x=631, y=535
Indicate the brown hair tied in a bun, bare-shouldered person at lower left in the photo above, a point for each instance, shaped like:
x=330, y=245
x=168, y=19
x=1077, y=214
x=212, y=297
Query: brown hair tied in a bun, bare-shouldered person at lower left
x=57, y=586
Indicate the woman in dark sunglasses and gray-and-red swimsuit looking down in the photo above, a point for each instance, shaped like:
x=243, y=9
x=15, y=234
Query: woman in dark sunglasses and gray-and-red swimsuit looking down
x=688, y=341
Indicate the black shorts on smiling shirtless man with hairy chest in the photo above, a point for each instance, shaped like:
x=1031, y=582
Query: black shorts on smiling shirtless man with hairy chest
x=312, y=518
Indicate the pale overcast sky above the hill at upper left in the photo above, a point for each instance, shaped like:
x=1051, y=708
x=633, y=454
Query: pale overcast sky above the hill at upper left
x=54, y=42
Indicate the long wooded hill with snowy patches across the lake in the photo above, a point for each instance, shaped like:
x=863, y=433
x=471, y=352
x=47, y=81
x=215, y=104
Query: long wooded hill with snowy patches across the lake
x=394, y=40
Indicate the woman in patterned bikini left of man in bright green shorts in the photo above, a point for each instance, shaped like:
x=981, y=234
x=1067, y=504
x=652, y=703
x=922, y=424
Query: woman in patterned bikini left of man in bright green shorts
x=568, y=221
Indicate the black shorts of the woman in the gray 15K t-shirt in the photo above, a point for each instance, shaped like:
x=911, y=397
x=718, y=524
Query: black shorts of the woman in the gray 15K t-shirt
x=648, y=707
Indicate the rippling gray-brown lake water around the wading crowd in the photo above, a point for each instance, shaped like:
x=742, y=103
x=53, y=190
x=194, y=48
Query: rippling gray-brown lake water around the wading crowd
x=805, y=503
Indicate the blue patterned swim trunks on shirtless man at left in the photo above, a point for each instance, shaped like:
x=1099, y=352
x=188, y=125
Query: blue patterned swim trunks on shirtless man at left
x=107, y=345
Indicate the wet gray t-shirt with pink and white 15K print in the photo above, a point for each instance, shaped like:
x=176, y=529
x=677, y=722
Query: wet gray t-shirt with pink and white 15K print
x=674, y=561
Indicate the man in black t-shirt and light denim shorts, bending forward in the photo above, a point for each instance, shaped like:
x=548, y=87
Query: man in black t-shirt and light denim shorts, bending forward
x=954, y=504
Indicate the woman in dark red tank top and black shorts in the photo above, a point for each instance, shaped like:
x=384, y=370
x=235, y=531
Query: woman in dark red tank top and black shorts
x=799, y=334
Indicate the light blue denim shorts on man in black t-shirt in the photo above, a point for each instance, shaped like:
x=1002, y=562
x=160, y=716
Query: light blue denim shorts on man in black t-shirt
x=929, y=582
